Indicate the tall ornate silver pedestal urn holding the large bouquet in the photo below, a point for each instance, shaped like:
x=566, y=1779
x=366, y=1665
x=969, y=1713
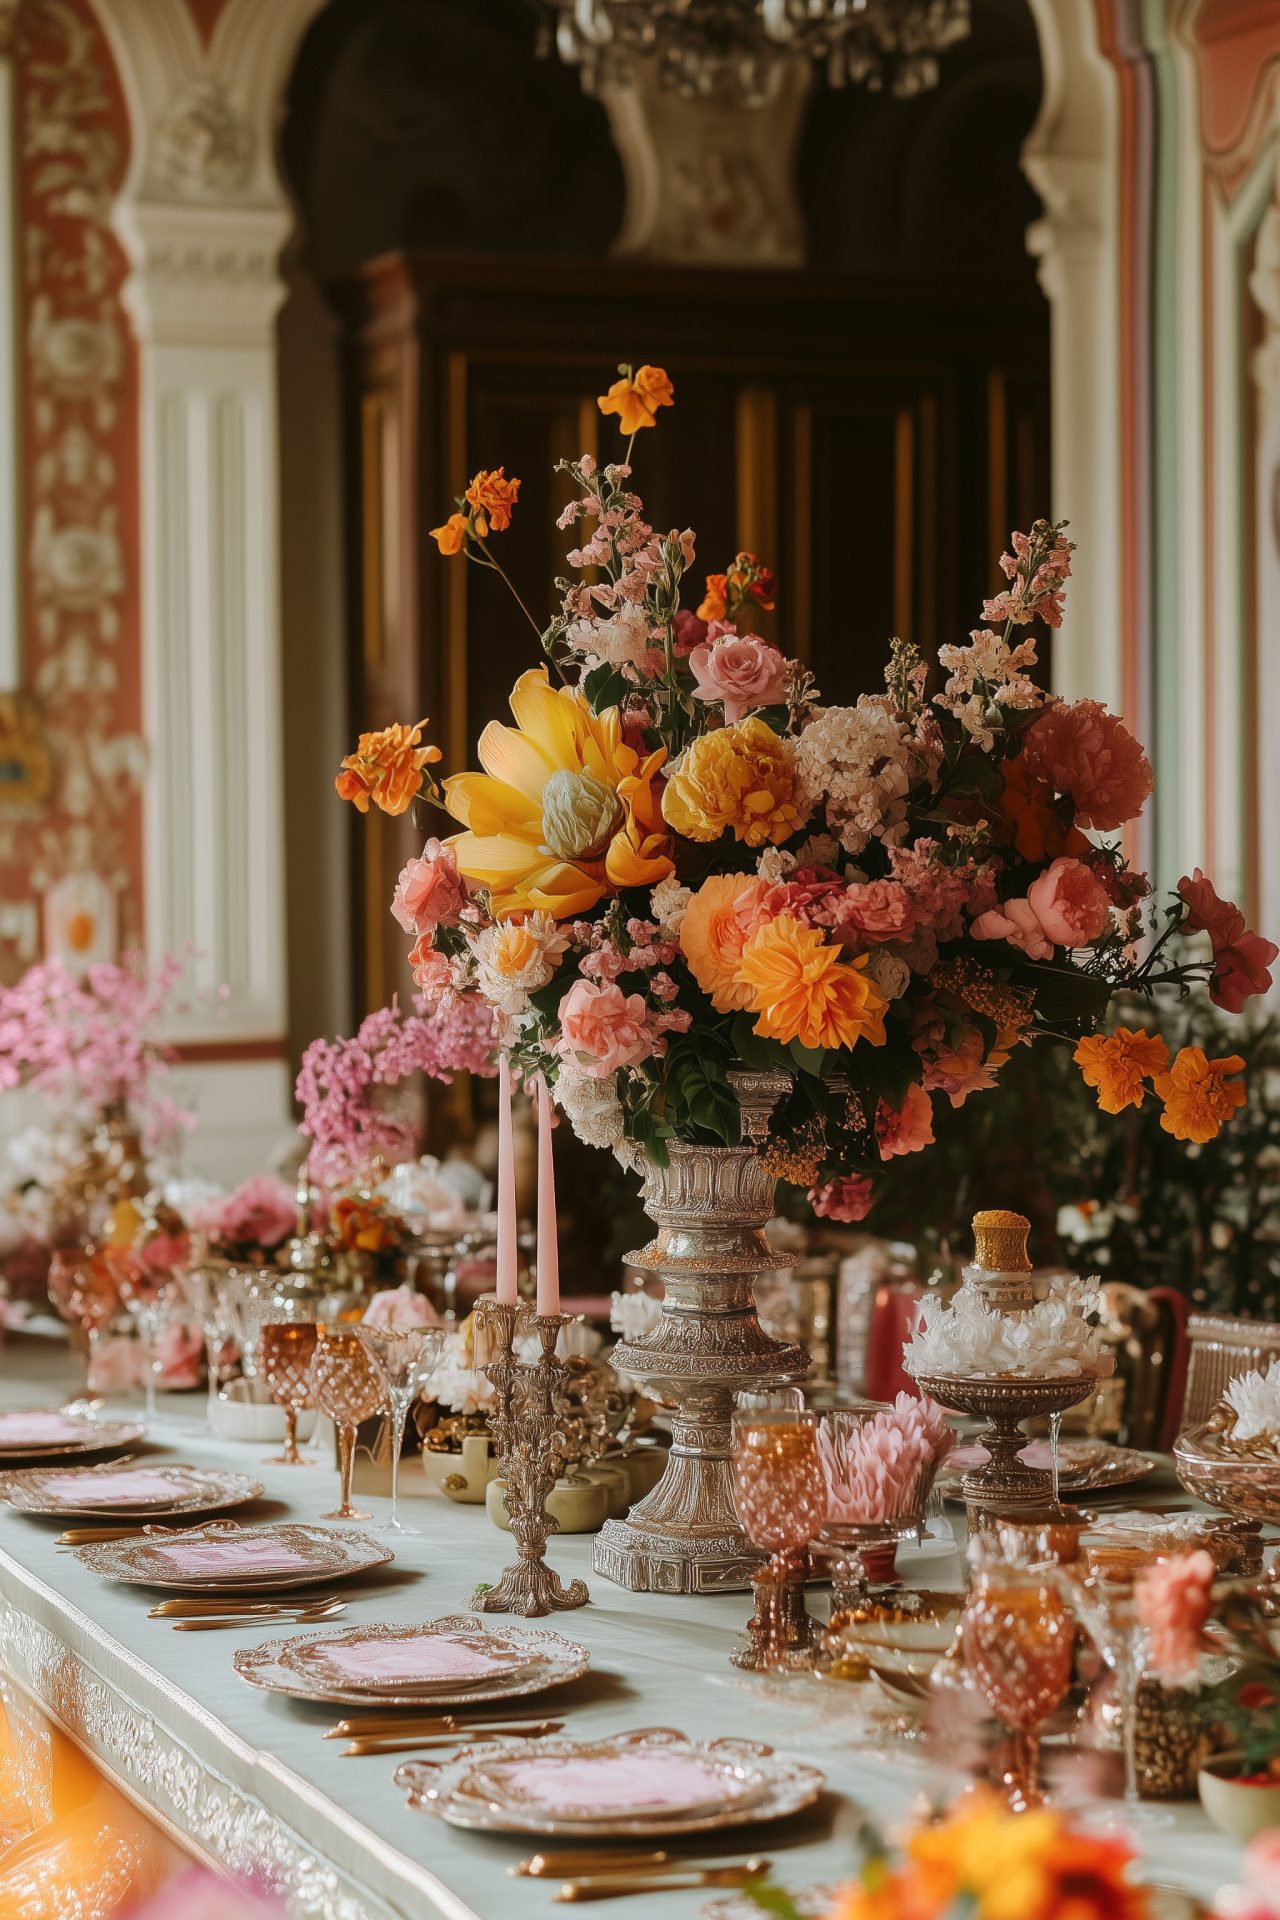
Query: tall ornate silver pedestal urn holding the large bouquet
x=711, y=1209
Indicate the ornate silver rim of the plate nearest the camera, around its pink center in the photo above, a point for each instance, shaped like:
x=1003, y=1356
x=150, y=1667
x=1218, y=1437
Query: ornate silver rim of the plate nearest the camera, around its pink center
x=462, y=1790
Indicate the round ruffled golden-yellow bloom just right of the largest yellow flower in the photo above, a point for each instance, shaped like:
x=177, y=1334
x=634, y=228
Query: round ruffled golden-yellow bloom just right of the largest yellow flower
x=740, y=777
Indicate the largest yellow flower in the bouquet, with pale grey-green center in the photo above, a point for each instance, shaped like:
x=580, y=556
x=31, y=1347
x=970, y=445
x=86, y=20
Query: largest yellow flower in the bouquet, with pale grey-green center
x=563, y=813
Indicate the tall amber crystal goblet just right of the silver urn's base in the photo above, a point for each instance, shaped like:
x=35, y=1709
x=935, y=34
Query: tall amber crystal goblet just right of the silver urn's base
x=782, y=1502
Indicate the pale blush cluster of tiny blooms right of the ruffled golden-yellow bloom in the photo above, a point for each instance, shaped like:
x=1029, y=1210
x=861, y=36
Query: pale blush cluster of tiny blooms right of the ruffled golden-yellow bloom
x=857, y=765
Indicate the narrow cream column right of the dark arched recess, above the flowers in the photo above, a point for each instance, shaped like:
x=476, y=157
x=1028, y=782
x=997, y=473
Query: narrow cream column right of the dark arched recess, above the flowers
x=1072, y=158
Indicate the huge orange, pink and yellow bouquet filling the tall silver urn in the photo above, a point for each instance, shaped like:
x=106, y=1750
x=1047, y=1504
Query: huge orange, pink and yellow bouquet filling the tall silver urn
x=680, y=859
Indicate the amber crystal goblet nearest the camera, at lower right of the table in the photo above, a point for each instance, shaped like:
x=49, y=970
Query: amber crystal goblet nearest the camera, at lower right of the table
x=1018, y=1641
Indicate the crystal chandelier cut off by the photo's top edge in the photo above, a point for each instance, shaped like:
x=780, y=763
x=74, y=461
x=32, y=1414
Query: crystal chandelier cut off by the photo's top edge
x=738, y=49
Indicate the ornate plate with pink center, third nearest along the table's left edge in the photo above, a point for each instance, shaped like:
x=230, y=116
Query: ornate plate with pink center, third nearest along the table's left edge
x=239, y=1560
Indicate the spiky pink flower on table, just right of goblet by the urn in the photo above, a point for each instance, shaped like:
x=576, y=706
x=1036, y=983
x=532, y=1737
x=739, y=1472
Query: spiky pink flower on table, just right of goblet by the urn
x=884, y=1468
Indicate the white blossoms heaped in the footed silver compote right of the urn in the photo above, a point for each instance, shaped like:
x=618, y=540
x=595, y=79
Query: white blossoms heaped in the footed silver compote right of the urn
x=1051, y=1341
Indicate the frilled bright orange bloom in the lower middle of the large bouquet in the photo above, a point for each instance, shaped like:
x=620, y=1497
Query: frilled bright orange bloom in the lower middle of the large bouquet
x=805, y=992
